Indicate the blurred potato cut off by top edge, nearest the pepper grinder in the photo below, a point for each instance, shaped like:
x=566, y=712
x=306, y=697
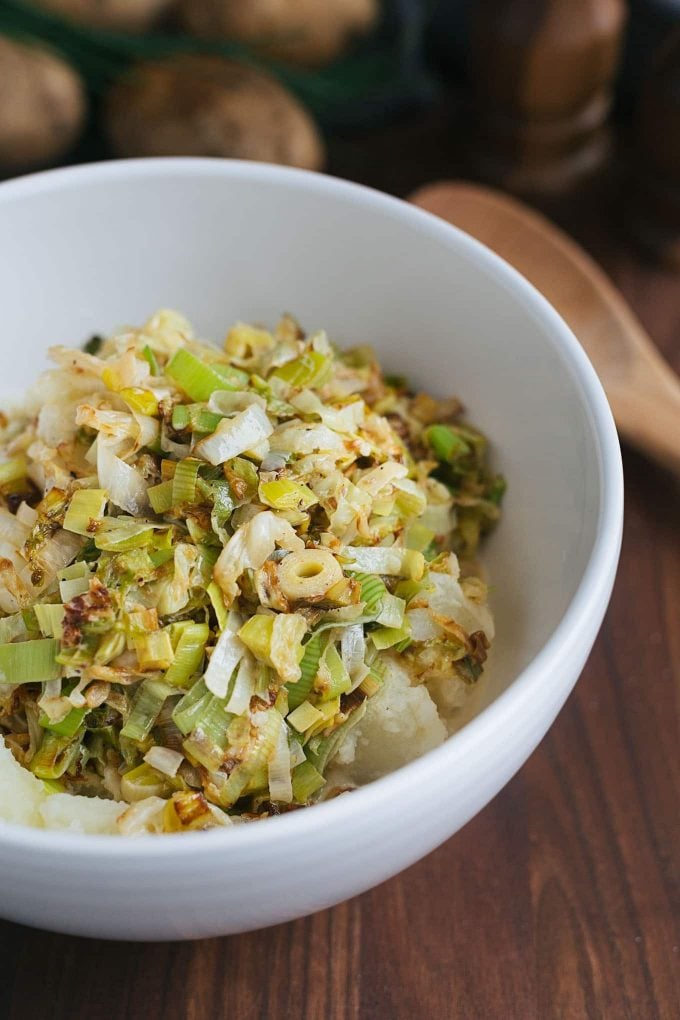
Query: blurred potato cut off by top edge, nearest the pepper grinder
x=310, y=33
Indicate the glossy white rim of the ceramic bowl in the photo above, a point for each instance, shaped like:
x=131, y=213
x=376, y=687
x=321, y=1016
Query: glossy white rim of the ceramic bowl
x=588, y=603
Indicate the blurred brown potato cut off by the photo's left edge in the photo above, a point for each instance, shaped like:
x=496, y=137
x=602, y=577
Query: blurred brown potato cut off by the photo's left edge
x=43, y=107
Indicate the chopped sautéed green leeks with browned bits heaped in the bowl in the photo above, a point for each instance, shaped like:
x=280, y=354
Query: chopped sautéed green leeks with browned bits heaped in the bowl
x=212, y=562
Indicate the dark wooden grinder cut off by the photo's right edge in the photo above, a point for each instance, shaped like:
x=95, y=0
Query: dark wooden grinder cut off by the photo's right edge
x=654, y=214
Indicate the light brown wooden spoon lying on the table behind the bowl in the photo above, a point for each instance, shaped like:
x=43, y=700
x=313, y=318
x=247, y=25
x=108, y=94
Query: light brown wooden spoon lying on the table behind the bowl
x=643, y=389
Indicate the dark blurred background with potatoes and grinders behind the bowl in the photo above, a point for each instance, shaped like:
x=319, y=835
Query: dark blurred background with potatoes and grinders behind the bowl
x=571, y=105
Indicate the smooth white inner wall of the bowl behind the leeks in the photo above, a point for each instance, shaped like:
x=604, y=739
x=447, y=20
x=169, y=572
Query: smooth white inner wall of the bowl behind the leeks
x=87, y=253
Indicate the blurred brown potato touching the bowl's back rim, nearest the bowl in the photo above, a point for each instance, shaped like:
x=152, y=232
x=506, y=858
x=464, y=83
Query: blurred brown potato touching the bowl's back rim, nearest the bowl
x=210, y=107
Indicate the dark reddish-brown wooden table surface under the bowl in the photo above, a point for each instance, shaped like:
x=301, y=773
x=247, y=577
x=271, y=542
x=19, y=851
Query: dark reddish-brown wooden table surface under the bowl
x=561, y=899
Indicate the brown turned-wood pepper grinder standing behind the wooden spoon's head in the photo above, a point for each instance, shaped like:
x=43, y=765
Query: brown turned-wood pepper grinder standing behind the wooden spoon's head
x=543, y=77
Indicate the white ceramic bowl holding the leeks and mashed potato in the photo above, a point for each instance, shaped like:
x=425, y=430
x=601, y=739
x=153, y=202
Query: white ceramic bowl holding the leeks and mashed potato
x=84, y=250
